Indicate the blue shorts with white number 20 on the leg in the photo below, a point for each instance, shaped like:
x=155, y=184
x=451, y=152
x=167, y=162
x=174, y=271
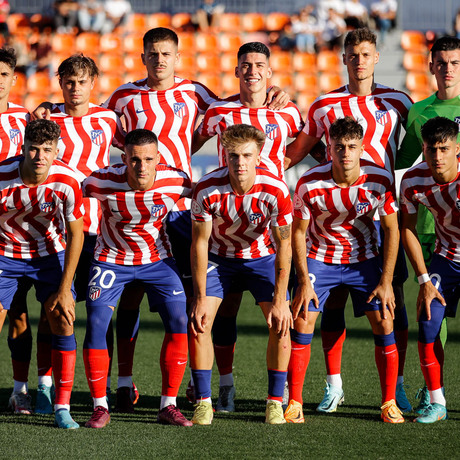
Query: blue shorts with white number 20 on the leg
x=160, y=280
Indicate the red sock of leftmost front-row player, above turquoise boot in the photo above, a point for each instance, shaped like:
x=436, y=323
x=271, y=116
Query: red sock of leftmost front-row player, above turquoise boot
x=63, y=368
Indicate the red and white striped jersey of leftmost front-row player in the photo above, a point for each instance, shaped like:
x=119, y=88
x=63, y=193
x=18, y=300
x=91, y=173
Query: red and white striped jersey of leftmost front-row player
x=32, y=219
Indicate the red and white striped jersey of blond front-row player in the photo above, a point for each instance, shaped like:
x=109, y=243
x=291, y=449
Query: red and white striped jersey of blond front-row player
x=241, y=223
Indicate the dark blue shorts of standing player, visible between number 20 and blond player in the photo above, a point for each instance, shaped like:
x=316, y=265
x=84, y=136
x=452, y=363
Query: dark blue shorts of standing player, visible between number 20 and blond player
x=179, y=230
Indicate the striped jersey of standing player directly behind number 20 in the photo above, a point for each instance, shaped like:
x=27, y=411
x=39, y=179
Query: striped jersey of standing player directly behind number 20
x=171, y=114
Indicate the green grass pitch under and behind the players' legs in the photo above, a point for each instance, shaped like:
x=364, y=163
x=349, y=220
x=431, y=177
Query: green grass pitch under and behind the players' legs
x=354, y=431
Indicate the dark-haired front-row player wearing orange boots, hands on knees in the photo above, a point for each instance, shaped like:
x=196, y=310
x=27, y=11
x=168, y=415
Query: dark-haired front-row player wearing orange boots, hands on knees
x=334, y=205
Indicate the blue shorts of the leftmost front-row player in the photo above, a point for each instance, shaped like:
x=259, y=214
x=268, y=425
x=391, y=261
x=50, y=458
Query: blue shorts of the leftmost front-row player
x=44, y=272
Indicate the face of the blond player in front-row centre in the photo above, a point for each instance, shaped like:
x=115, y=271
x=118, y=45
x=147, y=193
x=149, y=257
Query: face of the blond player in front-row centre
x=242, y=161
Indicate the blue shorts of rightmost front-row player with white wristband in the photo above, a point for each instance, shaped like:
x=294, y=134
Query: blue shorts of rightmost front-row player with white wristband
x=445, y=275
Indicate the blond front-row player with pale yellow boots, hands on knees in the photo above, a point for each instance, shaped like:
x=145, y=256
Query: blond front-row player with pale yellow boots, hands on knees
x=233, y=210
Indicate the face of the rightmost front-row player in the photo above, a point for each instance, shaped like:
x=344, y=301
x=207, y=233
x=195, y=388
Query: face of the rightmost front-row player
x=442, y=159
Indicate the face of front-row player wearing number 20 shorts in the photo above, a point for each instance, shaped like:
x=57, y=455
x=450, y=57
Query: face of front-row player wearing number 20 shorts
x=141, y=162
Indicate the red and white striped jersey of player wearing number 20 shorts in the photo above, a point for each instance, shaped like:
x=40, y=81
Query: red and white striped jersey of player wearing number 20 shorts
x=133, y=230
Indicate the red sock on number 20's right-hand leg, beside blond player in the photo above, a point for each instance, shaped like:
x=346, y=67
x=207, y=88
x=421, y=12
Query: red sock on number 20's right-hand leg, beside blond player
x=173, y=361
